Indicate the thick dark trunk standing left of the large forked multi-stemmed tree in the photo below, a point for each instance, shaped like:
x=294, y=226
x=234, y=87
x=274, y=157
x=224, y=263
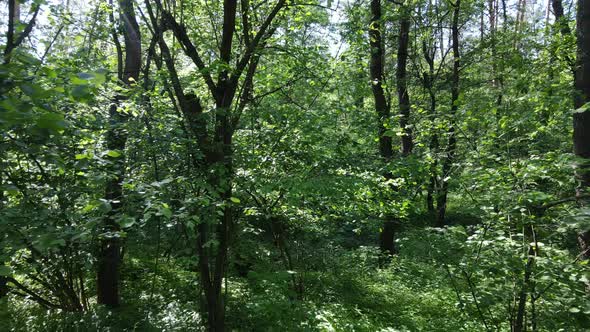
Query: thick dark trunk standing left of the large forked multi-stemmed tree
x=109, y=255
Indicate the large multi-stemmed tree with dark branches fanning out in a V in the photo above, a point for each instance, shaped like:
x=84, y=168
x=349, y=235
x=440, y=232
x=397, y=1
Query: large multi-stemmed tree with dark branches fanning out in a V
x=215, y=142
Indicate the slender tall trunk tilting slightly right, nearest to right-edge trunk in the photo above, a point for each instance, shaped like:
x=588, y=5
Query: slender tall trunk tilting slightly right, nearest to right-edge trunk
x=451, y=147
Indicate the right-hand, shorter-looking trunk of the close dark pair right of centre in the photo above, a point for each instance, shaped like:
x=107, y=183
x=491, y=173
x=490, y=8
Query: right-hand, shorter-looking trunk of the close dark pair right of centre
x=402, y=83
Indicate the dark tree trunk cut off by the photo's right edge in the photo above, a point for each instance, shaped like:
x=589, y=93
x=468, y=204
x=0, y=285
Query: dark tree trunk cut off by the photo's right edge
x=582, y=117
